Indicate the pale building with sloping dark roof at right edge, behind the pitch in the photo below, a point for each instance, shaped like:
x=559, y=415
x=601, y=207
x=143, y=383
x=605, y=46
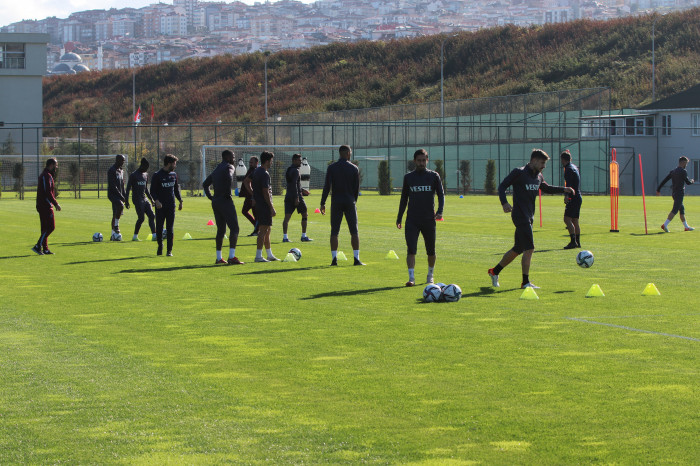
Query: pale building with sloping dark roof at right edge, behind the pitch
x=662, y=132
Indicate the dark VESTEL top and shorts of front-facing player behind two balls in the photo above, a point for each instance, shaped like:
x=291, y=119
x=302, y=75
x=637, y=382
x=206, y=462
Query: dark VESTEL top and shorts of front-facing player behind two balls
x=419, y=189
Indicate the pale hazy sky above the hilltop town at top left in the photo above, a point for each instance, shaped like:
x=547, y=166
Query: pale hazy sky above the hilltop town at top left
x=17, y=10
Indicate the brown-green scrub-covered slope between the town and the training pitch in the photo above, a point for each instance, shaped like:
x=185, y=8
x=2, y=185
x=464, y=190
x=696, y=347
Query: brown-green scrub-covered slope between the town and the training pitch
x=490, y=62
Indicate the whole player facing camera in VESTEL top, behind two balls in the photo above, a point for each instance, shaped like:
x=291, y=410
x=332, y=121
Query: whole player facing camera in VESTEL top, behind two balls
x=419, y=189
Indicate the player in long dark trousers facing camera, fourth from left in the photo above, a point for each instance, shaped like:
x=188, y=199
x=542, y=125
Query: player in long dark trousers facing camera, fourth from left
x=164, y=190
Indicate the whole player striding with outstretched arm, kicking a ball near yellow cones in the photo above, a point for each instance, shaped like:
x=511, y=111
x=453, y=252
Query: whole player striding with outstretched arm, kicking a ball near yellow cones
x=526, y=182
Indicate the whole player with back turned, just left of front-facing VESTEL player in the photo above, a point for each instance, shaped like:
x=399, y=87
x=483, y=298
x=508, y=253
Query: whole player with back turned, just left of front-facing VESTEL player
x=343, y=182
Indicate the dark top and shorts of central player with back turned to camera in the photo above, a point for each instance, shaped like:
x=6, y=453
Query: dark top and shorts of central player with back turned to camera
x=343, y=182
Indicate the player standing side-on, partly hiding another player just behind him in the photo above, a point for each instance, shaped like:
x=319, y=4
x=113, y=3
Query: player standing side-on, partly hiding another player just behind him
x=264, y=210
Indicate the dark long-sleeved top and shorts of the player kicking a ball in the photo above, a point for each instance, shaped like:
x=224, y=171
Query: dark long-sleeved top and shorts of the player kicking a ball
x=526, y=184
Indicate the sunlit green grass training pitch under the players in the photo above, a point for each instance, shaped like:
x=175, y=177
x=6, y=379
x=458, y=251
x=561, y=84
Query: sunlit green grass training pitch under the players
x=109, y=354
